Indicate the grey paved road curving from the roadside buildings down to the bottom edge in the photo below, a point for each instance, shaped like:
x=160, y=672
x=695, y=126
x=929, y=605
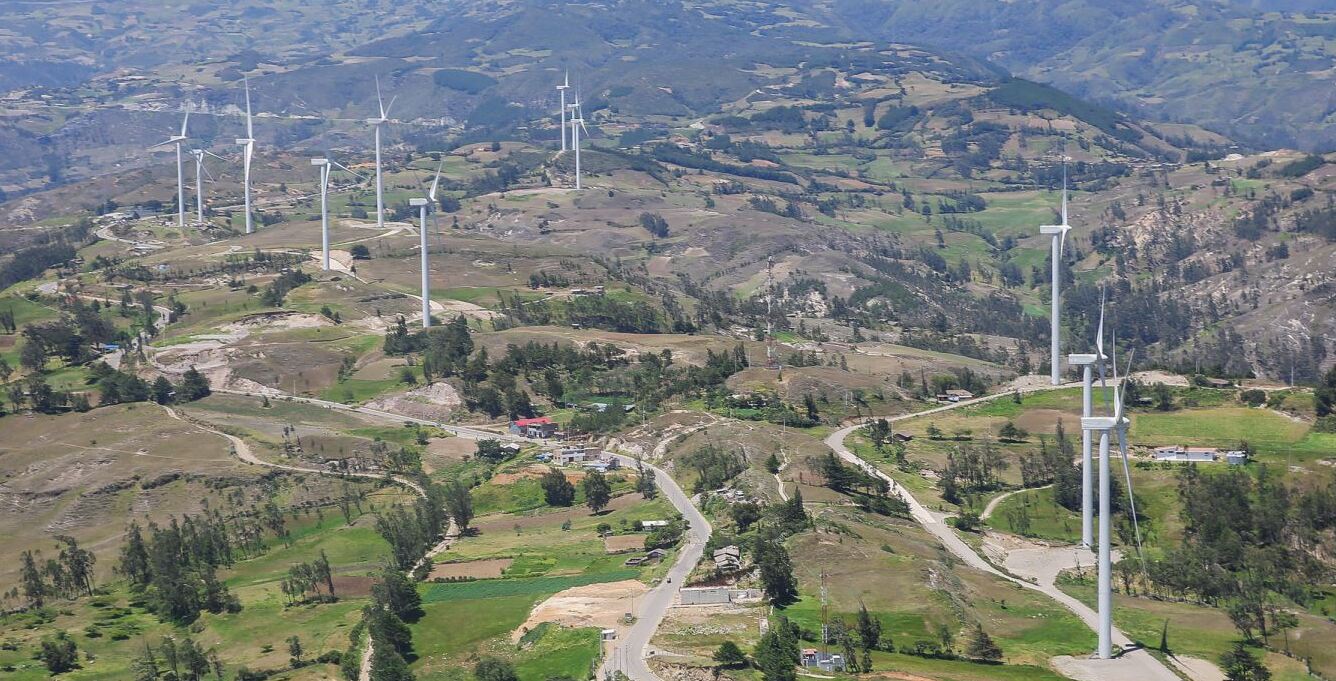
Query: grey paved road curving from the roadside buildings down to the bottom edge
x=630, y=654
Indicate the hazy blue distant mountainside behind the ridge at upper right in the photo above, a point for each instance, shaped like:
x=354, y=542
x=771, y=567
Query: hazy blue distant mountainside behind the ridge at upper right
x=1257, y=71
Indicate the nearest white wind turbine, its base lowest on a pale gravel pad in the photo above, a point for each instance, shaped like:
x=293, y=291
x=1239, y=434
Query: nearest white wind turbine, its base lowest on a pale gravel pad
x=1116, y=424
